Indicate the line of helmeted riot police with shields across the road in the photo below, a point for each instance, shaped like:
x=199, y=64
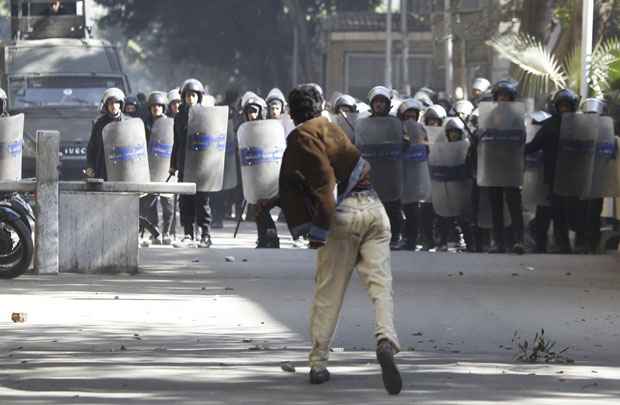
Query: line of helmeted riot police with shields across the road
x=450, y=176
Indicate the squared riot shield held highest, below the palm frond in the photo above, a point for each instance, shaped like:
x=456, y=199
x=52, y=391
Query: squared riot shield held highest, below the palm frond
x=502, y=143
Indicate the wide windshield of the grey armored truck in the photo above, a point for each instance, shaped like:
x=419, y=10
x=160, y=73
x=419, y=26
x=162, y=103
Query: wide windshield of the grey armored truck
x=53, y=91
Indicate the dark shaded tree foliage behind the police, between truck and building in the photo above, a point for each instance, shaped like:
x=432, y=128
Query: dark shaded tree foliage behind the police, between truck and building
x=249, y=40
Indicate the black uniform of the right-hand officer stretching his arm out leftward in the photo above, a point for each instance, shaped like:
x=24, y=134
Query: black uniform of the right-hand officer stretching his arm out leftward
x=547, y=140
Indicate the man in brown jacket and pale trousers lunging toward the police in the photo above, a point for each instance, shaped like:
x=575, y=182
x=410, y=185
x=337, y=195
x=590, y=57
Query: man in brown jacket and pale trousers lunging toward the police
x=351, y=230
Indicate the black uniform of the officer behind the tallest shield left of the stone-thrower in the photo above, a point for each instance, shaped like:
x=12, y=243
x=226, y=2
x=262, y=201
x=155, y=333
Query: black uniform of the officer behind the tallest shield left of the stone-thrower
x=193, y=208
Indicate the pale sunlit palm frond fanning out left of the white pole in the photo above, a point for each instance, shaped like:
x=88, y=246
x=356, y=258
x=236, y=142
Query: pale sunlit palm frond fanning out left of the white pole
x=539, y=72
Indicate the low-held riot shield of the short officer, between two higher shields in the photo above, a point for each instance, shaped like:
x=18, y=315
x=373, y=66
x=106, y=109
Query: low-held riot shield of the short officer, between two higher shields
x=451, y=184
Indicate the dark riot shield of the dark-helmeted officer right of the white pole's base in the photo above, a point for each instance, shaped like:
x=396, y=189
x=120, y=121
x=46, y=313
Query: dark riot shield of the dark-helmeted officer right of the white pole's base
x=577, y=145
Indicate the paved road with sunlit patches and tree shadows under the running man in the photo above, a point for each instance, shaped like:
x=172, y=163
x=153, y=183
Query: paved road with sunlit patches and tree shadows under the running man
x=194, y=328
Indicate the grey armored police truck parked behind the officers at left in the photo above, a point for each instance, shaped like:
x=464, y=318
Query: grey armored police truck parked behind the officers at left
x=55, y=74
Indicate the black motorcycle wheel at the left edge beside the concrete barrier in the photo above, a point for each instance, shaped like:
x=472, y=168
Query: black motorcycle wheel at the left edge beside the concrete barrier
x=17, y=260
